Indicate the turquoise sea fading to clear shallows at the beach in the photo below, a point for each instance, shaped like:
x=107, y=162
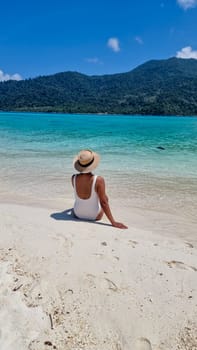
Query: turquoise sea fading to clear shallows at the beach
x=149, y=162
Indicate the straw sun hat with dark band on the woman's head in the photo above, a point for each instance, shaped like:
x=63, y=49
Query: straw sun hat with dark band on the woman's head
x=86, y=161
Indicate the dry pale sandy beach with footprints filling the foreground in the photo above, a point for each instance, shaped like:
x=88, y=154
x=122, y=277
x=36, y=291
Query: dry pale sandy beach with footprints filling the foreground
x=67, y=284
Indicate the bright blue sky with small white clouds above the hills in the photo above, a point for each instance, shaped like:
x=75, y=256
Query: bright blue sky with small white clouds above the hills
x=42, y=37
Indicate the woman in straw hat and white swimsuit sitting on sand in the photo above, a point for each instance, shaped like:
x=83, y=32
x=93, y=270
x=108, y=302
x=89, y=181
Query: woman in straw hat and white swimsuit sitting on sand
x=91, y=201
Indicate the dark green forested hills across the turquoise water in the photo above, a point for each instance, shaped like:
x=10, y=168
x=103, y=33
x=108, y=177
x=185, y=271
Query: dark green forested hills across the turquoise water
x=158, y=87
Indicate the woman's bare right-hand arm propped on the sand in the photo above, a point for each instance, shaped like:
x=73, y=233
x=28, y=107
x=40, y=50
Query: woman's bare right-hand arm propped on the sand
x=100, y=189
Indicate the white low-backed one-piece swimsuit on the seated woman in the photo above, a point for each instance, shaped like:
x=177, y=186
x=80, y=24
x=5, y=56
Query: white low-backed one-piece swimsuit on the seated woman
x=89, y=208
